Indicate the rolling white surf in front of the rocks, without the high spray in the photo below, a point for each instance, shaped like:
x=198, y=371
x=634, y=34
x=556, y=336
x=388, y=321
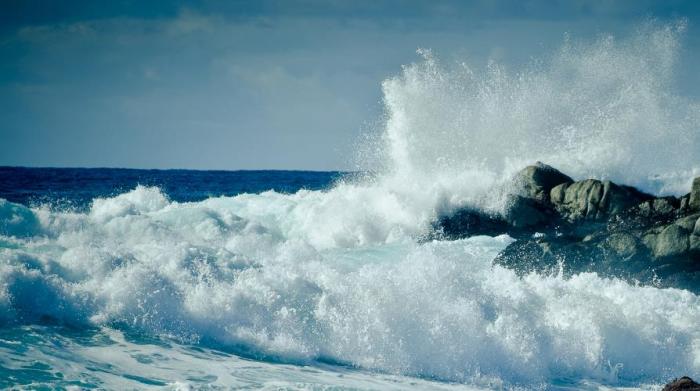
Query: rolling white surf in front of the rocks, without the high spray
x=247, y=271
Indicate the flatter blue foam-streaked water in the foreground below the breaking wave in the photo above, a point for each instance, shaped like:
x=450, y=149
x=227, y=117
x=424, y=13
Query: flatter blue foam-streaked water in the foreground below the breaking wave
x=55, y=357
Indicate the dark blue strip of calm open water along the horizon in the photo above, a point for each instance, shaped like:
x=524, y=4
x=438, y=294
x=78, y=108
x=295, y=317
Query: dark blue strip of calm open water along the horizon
x=77, y=187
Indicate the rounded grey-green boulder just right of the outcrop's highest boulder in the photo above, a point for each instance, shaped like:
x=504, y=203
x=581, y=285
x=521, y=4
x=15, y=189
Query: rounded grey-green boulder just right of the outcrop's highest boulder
x=593, y=200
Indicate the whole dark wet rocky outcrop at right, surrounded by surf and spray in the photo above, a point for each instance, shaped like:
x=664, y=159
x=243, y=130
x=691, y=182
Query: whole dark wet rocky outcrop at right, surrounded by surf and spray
x=592, y=225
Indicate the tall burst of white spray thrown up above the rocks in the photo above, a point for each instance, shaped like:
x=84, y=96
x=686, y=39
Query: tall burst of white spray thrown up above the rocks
x=606, y=109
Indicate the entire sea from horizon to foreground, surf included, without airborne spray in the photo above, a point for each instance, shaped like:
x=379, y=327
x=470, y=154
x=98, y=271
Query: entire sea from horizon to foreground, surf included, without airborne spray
x=226, y=279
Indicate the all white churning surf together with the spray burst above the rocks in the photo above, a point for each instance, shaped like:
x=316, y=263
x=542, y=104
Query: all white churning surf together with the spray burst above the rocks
x=341, y=275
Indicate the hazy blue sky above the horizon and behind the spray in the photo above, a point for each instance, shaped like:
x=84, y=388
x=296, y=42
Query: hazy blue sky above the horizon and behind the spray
x=257, y=84
